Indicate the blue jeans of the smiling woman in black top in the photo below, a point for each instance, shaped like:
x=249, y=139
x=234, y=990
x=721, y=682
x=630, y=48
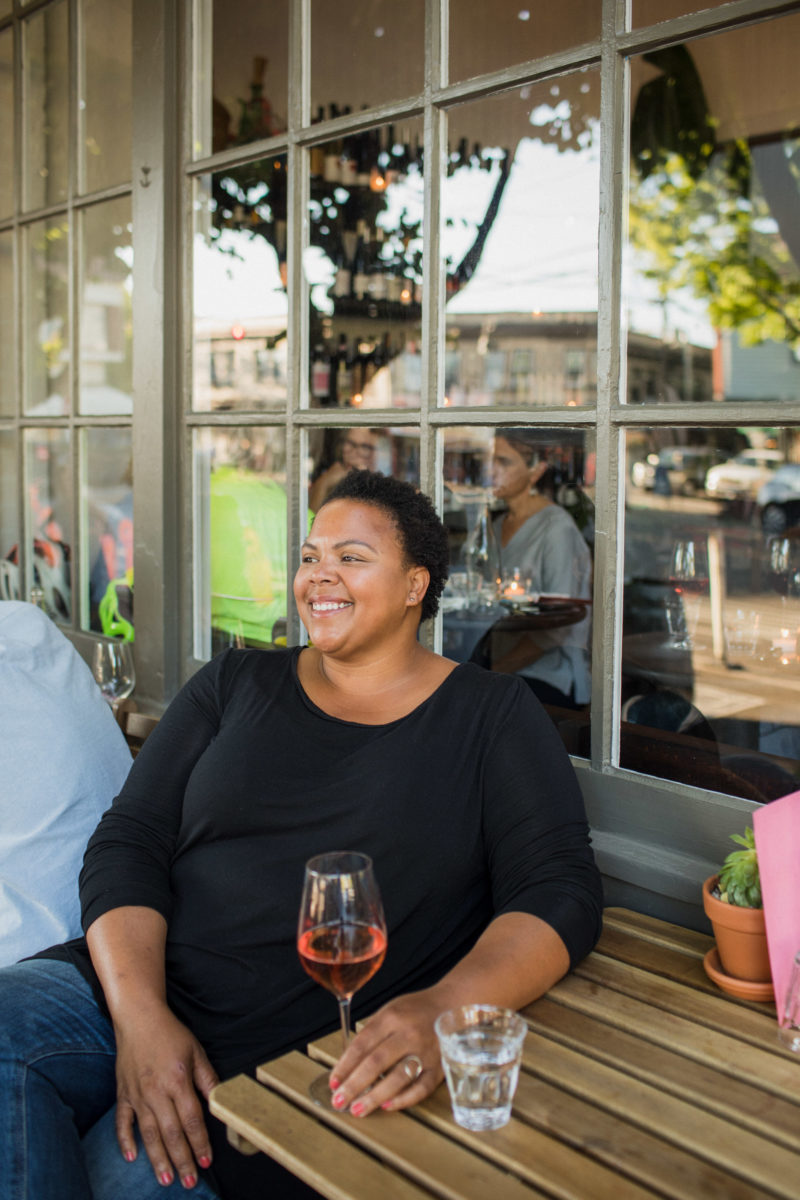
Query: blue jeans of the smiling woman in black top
x=58, y=1095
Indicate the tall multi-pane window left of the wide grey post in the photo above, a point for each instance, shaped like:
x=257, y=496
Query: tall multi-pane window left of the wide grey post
x=67, y=255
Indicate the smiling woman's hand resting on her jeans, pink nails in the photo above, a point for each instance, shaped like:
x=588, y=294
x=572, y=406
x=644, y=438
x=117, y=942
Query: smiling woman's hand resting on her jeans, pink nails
x=160, y=1070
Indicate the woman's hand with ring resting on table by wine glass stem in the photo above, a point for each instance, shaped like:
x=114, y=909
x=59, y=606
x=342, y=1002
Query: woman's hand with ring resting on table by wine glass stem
x=376, y=1070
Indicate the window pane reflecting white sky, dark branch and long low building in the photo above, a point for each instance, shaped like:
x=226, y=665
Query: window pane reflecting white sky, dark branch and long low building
x=521, y=206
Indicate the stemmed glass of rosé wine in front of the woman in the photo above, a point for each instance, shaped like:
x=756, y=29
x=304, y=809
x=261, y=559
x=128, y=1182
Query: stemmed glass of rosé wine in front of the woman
x=341, y=933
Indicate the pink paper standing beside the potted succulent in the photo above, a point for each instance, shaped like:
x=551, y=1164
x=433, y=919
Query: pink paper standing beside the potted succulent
x=778, y=842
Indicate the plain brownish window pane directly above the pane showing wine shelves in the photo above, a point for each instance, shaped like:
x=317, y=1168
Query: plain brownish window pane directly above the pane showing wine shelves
x=365, y=53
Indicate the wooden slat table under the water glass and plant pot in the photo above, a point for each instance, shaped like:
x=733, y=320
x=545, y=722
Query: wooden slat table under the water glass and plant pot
x=640, y=1079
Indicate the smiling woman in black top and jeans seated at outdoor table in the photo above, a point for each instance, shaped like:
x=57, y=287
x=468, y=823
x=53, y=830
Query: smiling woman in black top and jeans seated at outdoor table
x=453, y=779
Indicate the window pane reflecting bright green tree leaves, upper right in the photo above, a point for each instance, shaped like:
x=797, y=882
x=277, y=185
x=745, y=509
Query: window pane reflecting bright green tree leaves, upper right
x=713, y=281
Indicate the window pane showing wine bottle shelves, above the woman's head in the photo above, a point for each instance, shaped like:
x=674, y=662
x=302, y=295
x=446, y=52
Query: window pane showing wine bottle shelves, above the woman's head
x=365, y=269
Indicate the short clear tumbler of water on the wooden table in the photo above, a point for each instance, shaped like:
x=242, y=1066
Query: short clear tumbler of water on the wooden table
x=482, y=1052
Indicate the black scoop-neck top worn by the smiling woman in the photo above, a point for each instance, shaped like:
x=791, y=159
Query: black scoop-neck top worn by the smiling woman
x=470, y=808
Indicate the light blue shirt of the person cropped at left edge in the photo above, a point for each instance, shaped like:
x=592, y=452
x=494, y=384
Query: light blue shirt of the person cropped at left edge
x=63, y=758
